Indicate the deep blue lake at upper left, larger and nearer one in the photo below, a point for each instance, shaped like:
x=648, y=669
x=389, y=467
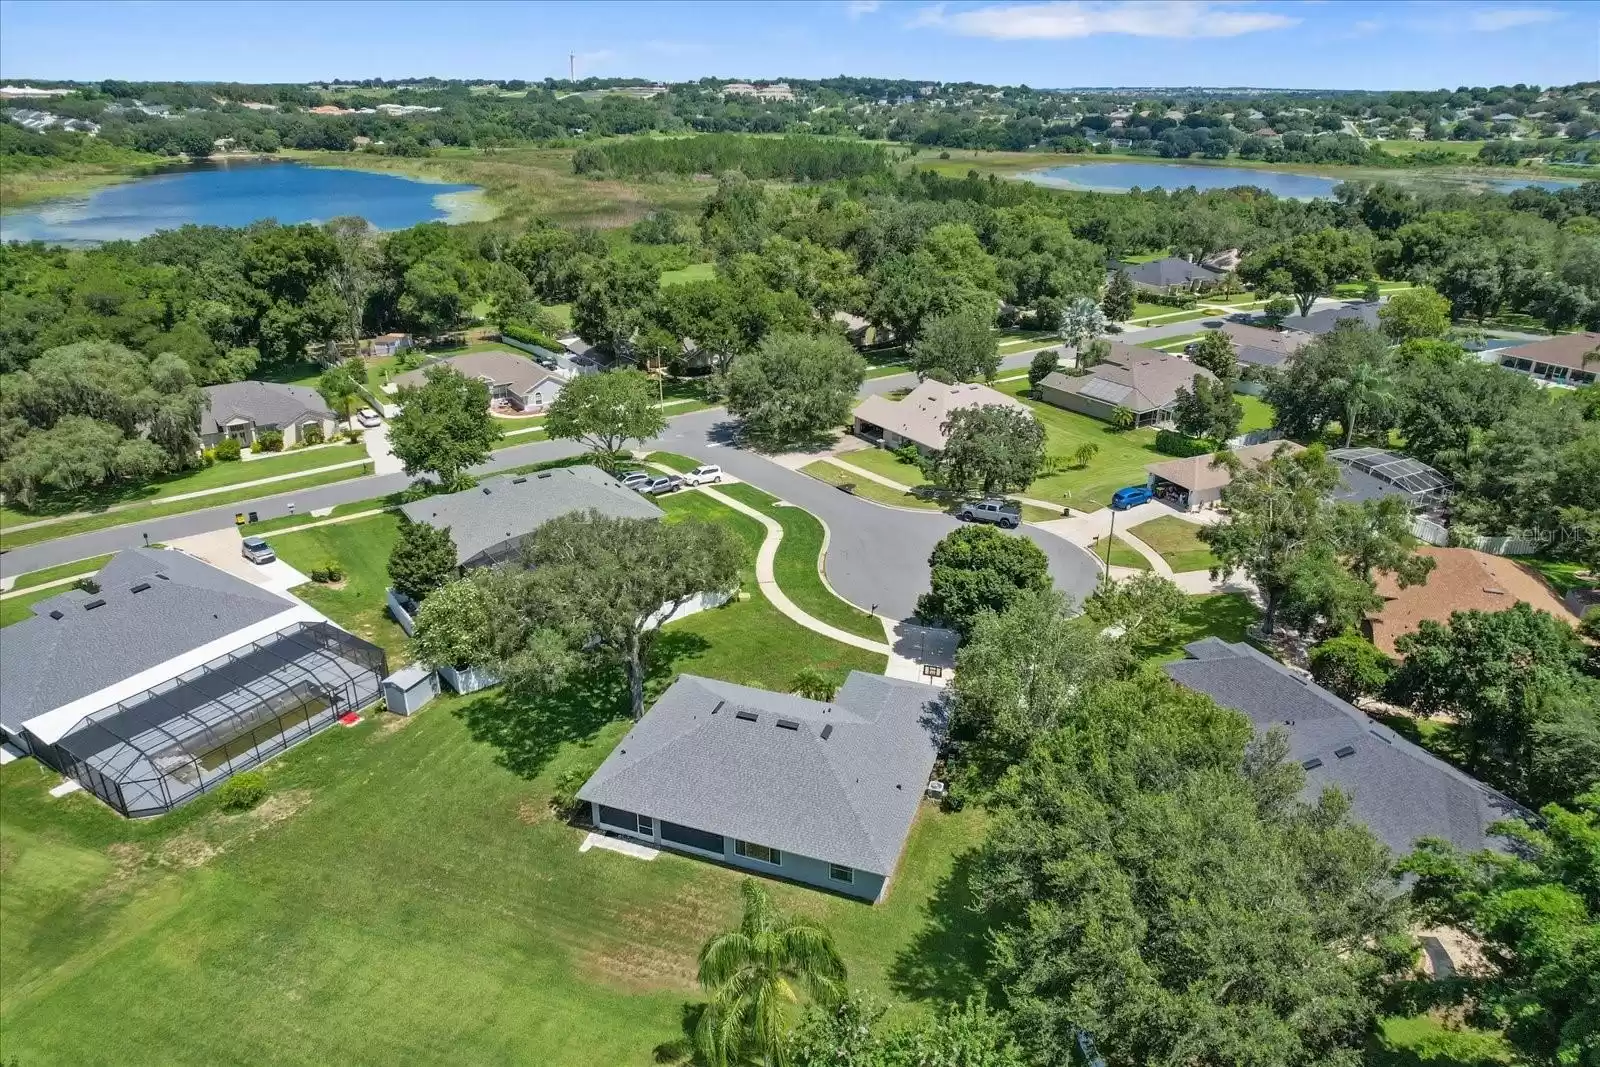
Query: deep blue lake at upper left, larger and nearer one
x=238, y=194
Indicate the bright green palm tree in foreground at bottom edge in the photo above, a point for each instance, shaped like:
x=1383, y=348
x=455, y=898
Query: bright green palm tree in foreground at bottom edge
x=756, y=973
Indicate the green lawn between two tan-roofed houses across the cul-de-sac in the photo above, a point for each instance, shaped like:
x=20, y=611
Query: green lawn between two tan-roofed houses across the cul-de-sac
x=1119, y=463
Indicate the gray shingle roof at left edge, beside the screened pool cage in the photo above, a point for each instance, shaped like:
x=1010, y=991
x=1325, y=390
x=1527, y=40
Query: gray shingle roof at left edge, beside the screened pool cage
x=47, y=663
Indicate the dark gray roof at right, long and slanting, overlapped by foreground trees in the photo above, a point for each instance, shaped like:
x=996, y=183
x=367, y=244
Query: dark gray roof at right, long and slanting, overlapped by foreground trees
x=1401, y=791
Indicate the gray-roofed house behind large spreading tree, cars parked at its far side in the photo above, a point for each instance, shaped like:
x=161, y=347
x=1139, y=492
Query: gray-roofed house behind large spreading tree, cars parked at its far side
x=490, y=521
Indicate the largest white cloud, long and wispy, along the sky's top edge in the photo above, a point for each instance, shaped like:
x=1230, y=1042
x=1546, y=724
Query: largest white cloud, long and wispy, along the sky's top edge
x=1065, y=20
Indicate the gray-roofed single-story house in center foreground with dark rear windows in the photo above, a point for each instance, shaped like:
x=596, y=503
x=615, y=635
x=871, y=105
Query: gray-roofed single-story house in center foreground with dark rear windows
x=820, y=793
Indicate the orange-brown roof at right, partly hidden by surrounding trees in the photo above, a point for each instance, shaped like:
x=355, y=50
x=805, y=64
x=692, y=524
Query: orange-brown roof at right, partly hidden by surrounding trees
x=1463, y=580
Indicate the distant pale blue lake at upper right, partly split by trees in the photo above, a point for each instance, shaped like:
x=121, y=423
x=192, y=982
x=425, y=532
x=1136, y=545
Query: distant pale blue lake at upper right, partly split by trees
x=1126, y=177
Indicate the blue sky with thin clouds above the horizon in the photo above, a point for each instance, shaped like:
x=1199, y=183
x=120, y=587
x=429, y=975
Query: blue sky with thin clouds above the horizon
x=1348, y=44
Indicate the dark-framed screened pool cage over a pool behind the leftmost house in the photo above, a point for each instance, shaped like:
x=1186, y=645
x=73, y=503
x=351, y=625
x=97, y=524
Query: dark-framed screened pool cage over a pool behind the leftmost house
x=154, y=751
